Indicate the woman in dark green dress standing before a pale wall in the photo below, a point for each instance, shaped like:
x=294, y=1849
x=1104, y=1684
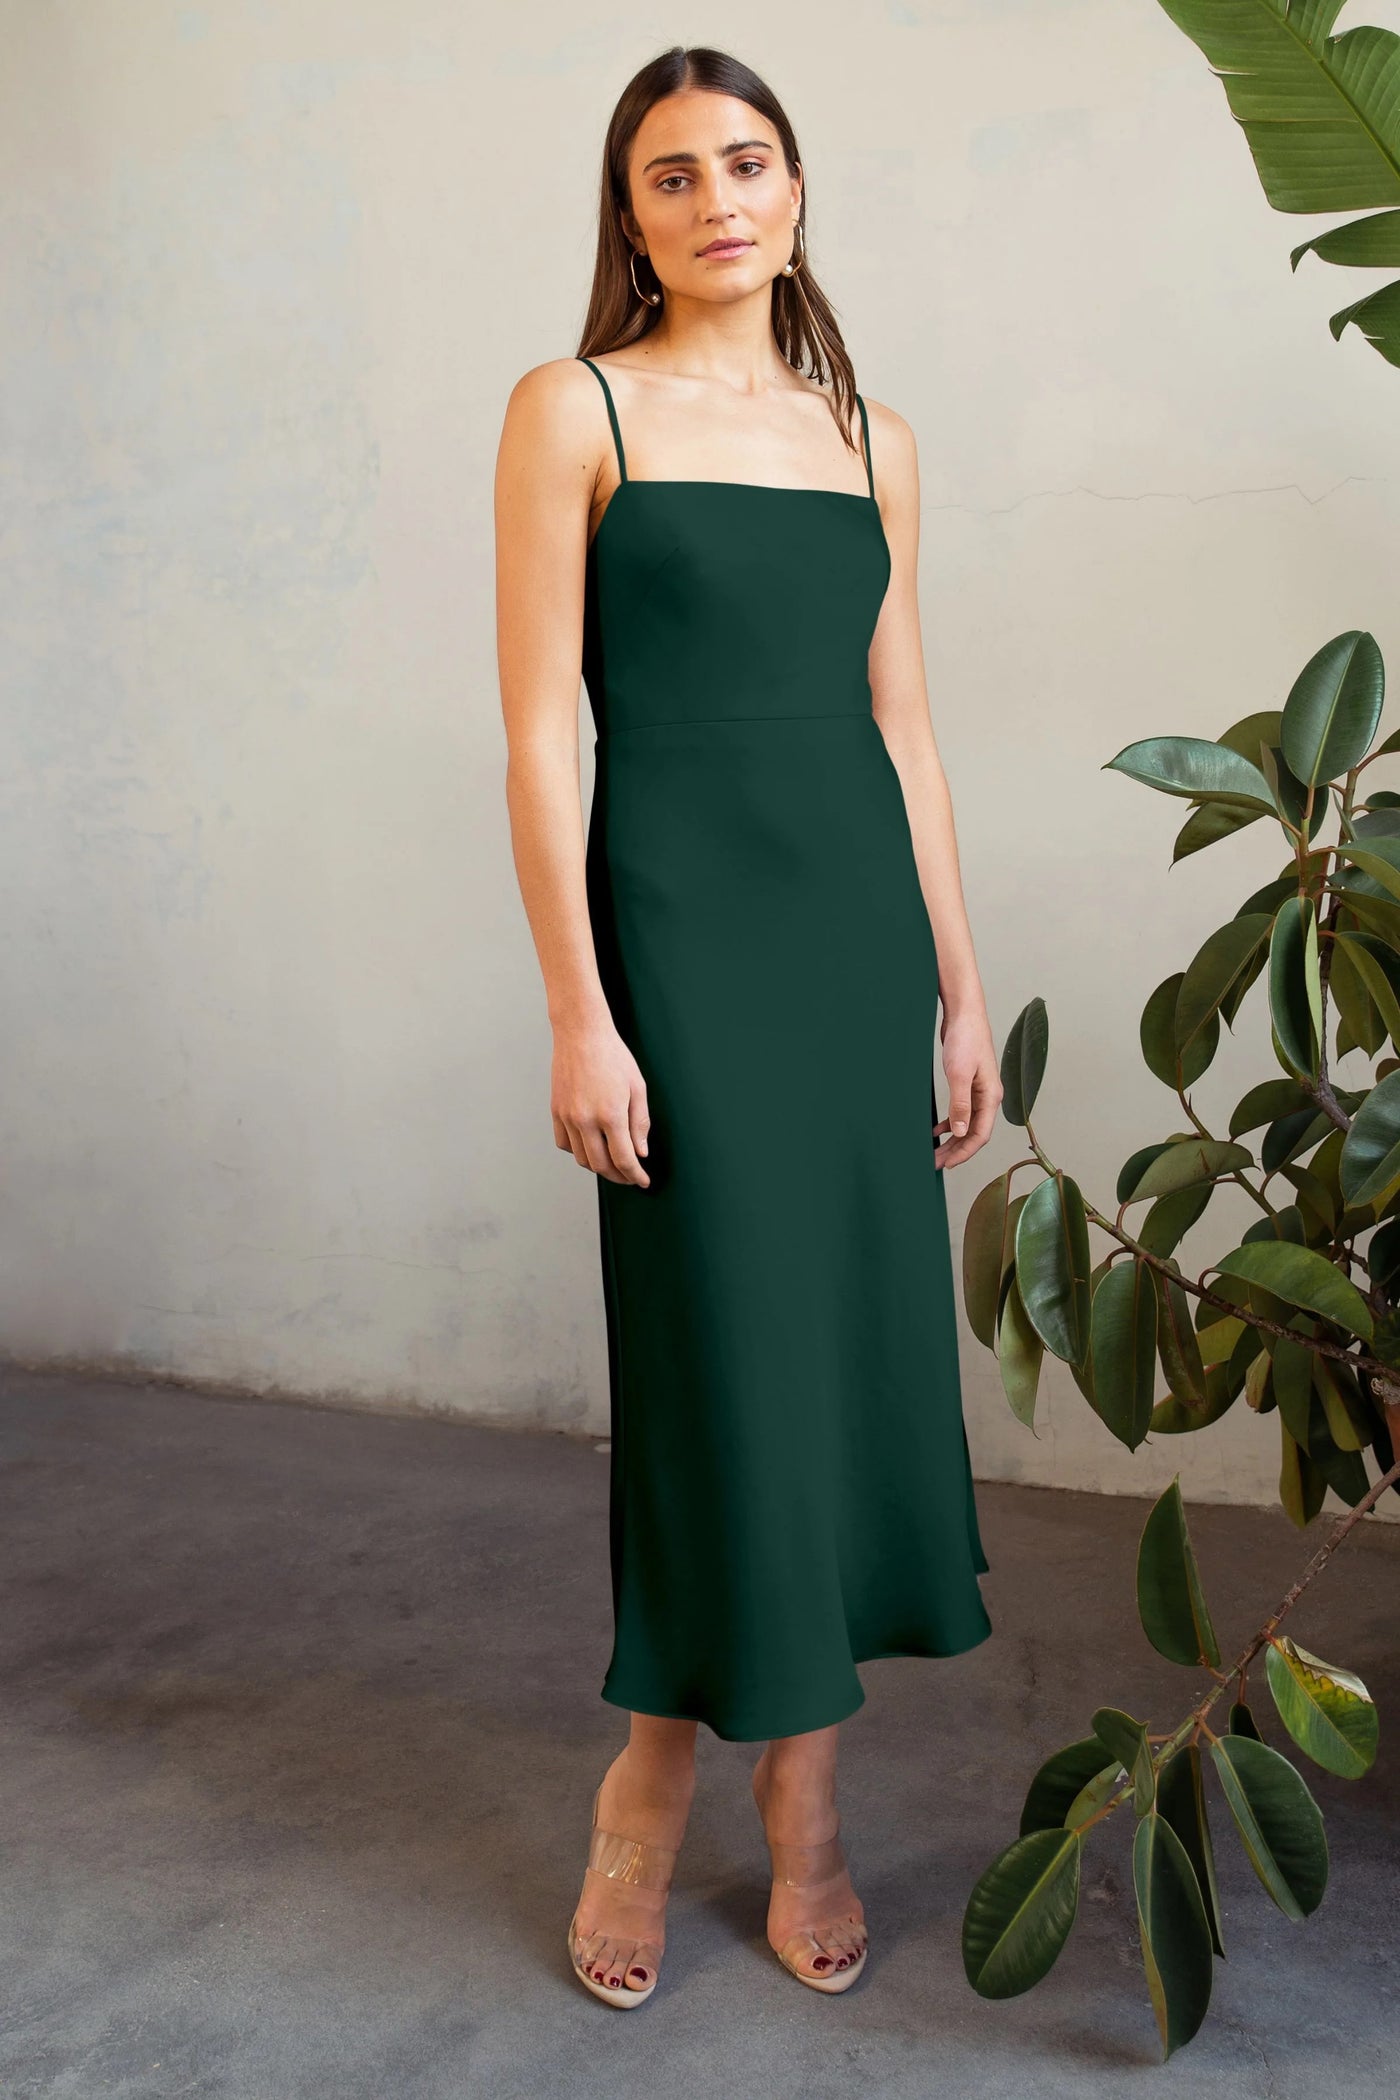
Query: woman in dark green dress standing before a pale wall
x=744, y=963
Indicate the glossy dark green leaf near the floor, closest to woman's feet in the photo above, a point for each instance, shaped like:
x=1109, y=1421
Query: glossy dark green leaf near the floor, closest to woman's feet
x=1021, y=1912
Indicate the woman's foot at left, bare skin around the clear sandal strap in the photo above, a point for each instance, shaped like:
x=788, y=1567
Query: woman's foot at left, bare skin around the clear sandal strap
x=620, y=1929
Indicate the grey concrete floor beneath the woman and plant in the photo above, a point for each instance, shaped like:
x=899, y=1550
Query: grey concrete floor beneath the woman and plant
x=301, y=1725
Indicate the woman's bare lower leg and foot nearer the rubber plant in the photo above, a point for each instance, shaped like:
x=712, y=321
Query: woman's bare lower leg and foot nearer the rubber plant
x=794, y=1786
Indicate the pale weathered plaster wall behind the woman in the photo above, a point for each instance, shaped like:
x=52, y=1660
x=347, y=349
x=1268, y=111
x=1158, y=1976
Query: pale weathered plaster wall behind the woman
x=276, y=1062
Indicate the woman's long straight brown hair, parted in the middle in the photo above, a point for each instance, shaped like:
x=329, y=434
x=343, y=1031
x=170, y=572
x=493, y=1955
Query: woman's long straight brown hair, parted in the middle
x=803, y=320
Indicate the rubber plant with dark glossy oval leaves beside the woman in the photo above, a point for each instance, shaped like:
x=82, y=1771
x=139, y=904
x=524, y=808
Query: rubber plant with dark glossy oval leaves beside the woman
x=1298, y=1320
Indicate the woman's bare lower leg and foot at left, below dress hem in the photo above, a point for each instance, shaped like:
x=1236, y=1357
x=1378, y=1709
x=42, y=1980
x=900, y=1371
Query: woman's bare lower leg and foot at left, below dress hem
x=645, y=1794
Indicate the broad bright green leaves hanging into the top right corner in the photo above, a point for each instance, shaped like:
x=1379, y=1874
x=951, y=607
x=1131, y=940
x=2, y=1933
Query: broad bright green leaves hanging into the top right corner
x=1321, y=117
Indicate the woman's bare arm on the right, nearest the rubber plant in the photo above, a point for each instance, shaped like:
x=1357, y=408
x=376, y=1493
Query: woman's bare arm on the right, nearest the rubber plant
x=901, y=709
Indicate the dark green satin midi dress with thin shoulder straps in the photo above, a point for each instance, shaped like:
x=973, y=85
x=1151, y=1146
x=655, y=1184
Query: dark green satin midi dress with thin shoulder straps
x=790, y=1484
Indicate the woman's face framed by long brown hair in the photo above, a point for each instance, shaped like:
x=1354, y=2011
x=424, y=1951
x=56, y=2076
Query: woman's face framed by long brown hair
x=706, y=169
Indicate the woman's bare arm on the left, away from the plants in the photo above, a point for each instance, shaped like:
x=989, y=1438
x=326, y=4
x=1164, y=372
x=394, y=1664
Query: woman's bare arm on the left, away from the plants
x=547, y=478
